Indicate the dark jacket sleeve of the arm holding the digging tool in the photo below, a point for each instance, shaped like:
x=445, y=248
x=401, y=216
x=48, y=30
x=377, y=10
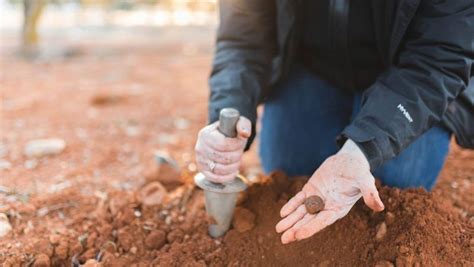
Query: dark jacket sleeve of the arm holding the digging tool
x=242, y=61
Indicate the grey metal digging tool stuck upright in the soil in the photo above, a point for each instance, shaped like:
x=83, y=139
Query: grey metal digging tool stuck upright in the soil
x=221, y=198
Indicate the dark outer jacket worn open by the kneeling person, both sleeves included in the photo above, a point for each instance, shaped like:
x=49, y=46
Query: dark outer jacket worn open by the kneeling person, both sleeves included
x=427, y=47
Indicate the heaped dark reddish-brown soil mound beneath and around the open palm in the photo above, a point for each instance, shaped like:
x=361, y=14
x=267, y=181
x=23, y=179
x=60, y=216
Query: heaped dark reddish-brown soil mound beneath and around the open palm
x=418, y=229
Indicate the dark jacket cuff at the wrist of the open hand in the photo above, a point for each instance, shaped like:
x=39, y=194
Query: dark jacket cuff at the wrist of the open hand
x=371, y=144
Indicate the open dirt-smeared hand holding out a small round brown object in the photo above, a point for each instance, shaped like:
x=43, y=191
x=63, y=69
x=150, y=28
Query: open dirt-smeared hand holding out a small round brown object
x=340, y=181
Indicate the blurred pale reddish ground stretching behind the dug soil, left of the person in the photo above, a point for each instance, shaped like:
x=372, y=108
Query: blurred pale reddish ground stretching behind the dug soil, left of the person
x=158, y=80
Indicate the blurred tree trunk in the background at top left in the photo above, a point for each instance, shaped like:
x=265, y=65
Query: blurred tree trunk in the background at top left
x=32, y=12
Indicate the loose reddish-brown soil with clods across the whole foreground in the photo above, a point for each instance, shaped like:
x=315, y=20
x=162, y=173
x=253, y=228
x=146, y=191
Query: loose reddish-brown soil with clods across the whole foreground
x=416, y=228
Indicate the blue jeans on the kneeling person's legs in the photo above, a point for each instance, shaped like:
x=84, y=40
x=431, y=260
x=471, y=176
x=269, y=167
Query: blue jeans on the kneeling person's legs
x=305, y=114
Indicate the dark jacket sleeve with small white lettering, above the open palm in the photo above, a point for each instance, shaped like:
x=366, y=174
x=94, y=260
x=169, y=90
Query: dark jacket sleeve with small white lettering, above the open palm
x=433, y=67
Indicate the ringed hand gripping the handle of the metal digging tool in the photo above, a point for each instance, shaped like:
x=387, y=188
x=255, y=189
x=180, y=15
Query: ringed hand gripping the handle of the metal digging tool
x=218, y=157
